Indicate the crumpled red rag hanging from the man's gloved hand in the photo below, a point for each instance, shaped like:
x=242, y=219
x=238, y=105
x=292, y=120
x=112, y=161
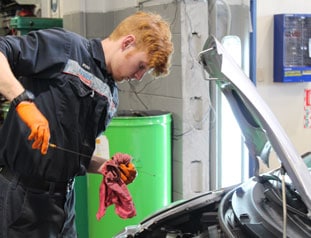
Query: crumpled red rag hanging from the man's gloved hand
x=114, y=191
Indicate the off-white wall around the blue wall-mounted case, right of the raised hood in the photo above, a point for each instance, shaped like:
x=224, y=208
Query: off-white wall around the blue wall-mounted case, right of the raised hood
x=285, y=99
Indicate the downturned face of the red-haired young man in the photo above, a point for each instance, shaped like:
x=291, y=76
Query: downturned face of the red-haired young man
x=130, y=64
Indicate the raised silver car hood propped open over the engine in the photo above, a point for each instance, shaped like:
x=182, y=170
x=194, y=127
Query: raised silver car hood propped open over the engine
x=261, y=130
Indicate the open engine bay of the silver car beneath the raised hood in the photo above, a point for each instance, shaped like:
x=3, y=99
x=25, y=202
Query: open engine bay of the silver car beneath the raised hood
x=253, y=209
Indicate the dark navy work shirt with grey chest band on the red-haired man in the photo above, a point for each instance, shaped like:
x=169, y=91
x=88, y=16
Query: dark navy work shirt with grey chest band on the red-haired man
x=67, y=73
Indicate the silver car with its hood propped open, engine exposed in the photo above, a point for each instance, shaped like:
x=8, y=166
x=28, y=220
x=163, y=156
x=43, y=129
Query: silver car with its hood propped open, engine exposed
x=274, y=204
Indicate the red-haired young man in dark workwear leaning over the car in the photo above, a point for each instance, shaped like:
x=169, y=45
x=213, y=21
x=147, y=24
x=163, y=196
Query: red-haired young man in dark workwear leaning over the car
x=62, y=89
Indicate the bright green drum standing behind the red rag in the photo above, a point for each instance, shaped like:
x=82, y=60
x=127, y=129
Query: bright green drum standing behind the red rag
x=147, y=137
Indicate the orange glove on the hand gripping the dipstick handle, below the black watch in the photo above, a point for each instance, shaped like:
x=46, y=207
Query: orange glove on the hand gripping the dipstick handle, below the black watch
x=38, y=124
